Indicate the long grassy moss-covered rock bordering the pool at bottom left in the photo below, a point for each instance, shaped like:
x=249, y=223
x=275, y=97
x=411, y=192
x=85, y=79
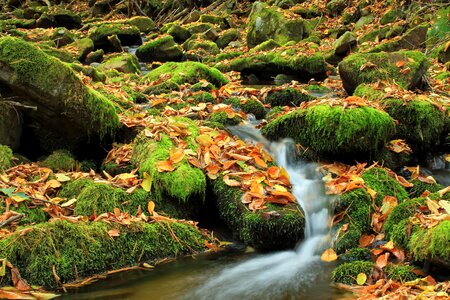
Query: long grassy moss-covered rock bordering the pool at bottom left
x=75, y=251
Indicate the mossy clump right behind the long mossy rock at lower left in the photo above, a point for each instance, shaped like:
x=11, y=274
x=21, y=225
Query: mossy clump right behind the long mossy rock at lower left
x=101, y=198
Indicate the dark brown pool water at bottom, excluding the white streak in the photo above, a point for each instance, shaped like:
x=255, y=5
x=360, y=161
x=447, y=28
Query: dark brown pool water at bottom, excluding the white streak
x=183, y=278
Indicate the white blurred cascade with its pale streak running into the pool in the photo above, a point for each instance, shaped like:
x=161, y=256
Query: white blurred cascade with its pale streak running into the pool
x=282, y=275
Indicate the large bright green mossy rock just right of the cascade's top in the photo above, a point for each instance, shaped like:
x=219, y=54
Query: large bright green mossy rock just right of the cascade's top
x=334, y=131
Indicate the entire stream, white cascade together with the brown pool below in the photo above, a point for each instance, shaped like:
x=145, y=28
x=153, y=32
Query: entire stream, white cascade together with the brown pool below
x=293, y=274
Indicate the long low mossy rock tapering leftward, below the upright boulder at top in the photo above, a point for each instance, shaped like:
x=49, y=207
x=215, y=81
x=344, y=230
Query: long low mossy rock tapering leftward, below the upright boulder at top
x=290, y=61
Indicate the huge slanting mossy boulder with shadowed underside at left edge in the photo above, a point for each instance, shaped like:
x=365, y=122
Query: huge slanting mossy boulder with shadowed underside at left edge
x=68, y=113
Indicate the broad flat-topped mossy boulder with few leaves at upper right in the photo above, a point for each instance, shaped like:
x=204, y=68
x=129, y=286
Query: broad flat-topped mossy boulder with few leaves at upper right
x=371, y=67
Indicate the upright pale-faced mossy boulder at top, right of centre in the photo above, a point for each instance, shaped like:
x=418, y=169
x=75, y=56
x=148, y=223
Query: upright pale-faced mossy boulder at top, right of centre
x=268, y=23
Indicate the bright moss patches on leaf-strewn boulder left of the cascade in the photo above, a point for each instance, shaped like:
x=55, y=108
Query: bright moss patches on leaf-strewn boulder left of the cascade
x=182, y=184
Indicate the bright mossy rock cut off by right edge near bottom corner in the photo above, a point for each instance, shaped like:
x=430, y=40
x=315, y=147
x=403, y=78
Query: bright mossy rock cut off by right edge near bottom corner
x=432, y=244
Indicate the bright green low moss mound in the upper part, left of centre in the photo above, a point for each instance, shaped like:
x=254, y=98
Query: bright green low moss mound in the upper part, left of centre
x=187, y=72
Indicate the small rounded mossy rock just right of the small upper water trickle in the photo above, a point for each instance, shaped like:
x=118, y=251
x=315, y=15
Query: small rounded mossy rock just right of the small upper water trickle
x=162, y=48
